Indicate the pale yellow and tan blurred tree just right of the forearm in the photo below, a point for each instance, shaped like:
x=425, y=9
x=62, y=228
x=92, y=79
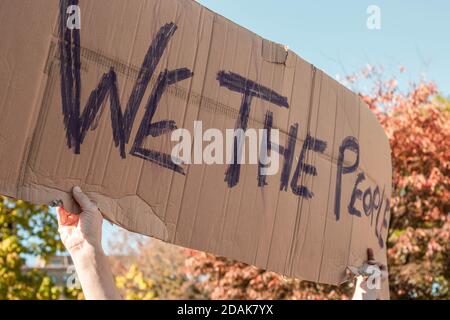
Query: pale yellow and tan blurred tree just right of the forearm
x=148, y=269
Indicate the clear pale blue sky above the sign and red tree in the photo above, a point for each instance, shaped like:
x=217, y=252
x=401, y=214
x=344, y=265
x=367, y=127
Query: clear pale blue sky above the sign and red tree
x=333, y=35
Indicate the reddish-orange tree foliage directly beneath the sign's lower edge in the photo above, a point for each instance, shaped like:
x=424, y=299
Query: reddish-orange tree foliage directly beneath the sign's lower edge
x=221, y=278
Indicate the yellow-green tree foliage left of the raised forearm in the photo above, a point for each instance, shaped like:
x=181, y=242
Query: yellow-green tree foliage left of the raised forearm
x=26, y=230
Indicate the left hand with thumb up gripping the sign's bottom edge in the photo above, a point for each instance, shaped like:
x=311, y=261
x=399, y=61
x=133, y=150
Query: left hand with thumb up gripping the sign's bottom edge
x=83, y=230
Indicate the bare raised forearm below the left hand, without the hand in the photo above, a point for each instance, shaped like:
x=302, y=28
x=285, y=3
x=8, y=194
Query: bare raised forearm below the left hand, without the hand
x=94, y=273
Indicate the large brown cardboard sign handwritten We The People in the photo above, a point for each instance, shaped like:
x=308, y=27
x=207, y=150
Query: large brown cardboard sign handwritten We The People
x=92, y=100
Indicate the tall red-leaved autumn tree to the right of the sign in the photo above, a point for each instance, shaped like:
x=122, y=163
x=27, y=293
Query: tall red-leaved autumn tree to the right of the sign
x=418, y=127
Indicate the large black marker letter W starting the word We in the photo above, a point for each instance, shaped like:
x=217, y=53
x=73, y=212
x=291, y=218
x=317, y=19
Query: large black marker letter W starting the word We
x=77, y=125
